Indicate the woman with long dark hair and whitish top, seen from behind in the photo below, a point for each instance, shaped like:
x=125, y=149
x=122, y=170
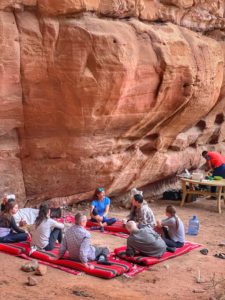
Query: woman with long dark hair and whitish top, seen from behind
x=45, y=231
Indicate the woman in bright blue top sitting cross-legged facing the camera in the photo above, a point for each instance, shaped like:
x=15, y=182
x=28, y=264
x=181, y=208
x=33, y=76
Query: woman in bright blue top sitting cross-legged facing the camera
x=100, y=208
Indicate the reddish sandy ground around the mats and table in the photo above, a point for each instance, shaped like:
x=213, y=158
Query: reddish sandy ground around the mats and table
x=173, y=279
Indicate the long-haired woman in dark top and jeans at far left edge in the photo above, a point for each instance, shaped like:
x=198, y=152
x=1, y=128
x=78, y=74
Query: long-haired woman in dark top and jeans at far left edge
x=9, y=231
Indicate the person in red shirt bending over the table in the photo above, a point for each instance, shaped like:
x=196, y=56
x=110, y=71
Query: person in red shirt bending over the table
x=216, y=162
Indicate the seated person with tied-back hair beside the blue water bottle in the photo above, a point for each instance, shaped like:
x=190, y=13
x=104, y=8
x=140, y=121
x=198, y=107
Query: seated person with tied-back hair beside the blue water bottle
x=173, y=228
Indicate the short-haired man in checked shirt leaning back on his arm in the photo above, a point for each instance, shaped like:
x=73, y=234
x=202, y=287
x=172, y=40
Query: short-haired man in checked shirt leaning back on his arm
x=77, y=241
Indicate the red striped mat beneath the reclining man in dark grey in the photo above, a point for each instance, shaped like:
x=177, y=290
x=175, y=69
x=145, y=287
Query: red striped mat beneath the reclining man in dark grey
x=148, y=261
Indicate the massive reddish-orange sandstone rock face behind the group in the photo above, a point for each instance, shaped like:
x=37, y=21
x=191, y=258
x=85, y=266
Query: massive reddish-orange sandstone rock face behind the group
x=115, y=93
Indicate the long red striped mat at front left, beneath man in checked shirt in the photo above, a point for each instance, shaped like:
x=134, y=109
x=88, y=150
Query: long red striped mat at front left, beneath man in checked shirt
x=117, y=268
